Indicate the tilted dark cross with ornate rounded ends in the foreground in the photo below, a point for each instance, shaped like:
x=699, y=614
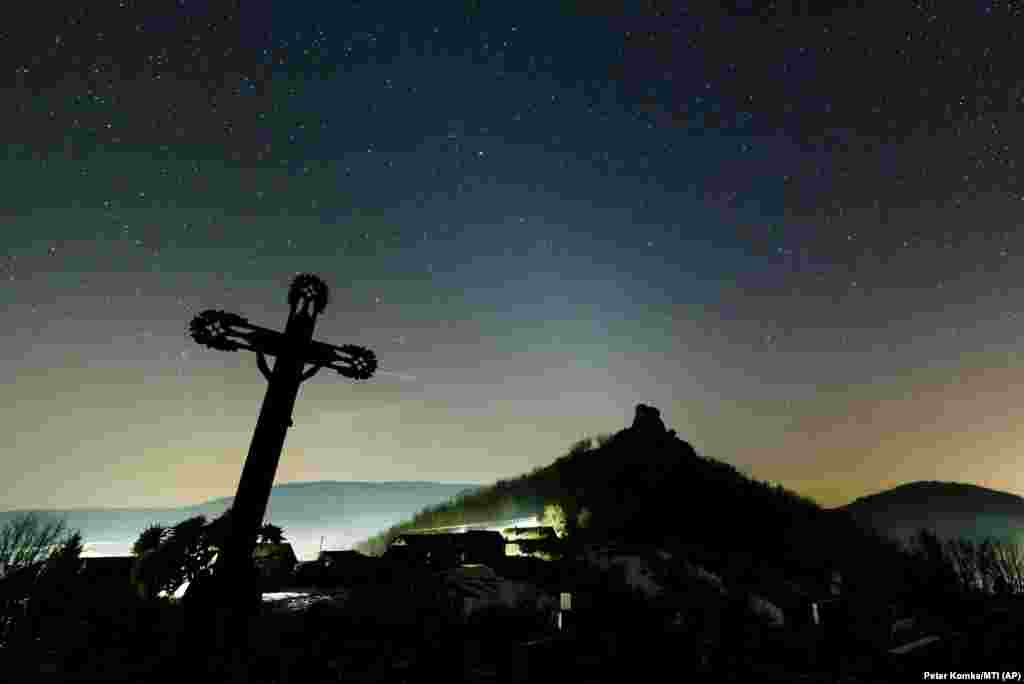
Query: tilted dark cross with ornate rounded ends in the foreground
x=293, y=350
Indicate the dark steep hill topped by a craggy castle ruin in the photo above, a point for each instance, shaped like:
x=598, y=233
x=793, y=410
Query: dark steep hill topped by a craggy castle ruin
x=647, y=486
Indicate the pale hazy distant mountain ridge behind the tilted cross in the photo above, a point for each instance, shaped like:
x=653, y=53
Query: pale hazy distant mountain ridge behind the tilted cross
x=340, y=512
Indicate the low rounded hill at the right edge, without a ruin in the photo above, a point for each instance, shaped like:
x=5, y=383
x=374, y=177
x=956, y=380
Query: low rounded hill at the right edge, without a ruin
x=950, y=509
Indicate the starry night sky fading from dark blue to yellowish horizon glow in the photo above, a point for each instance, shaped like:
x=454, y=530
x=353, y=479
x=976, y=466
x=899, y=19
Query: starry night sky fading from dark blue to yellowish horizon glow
x=791, y=227
